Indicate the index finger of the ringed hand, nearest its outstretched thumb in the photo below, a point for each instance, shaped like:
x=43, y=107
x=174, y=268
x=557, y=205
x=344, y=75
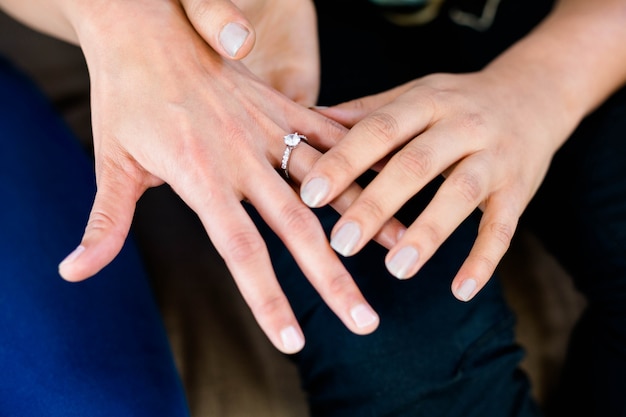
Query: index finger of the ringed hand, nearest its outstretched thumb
x=238, y=241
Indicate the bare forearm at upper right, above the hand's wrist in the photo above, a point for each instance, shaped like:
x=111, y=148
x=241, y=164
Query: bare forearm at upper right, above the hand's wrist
x=576, y=56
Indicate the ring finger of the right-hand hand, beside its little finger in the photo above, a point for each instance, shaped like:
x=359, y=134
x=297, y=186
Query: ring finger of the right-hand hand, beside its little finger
x=459, y=196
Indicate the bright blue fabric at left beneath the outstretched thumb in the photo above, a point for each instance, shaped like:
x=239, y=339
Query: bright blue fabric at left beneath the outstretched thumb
x=96, y=348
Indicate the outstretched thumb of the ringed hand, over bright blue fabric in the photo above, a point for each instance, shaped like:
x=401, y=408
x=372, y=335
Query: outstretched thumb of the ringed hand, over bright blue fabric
x=108, y=225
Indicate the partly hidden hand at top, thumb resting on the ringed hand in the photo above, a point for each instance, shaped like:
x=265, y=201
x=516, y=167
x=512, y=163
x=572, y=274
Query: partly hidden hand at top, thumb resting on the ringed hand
x=283, y=33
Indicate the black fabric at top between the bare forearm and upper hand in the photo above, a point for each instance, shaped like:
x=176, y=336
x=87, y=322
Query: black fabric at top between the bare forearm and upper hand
x=364, y=53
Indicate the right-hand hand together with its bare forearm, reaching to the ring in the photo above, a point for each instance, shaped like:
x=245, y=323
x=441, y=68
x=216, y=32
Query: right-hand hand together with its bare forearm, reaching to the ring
x=474, y=130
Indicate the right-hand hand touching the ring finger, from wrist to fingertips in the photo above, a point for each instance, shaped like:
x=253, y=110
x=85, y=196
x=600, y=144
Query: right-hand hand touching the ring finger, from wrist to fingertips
x=491, y=134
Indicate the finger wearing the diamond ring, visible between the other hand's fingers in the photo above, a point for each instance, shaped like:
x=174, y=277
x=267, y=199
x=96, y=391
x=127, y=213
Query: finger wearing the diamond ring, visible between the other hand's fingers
x=301, y=161
